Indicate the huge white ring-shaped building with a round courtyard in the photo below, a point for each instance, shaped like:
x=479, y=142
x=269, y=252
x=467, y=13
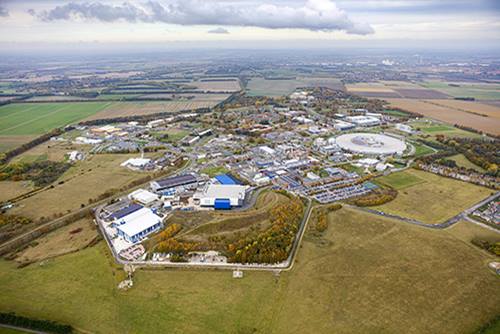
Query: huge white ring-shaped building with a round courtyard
x=370, y=143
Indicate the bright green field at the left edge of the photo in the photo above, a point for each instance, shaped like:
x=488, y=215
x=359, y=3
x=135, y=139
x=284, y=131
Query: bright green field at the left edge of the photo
x=38, y=118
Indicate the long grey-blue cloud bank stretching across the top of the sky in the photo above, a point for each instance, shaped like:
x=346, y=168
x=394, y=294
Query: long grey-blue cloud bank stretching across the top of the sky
x=315, y=15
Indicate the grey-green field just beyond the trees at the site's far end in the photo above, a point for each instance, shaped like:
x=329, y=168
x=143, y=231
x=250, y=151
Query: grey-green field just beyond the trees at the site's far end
x=280, y=87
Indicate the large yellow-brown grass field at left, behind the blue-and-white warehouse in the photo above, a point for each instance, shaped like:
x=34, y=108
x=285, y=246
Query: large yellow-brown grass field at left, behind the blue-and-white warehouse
x=80, y=185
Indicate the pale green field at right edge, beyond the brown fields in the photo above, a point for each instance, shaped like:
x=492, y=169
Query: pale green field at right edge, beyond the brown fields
x=479, y=91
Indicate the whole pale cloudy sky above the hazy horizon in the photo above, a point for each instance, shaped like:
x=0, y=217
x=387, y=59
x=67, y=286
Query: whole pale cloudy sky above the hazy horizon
x=314, y=23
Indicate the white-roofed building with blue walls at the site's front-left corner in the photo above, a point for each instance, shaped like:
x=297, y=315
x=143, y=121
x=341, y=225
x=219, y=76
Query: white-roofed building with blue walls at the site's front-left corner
x=137, y=225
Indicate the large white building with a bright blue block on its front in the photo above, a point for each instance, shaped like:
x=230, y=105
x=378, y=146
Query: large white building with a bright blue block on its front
x=222, y=196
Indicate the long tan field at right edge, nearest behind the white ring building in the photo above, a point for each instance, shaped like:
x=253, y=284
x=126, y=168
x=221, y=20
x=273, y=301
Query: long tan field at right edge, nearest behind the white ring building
x=449, y=114
